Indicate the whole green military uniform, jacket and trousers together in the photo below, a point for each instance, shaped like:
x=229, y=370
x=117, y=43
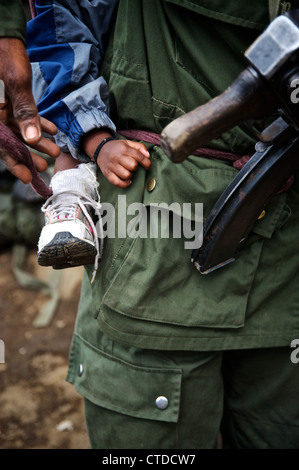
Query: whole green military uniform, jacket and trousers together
x=151, y=325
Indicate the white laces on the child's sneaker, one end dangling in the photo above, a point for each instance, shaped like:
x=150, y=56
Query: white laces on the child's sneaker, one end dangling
x=69, y=210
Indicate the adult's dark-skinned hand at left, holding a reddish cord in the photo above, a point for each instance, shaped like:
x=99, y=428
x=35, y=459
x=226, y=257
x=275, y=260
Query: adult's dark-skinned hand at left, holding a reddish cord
x=18, y=110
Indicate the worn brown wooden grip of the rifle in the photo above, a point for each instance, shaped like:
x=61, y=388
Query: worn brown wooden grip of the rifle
x=247, y=98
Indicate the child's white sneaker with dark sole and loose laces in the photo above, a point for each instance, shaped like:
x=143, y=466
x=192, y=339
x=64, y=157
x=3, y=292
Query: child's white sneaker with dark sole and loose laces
x=70, y=237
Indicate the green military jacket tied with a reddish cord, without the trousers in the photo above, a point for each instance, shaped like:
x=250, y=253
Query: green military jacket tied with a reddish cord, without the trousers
x=164, y=59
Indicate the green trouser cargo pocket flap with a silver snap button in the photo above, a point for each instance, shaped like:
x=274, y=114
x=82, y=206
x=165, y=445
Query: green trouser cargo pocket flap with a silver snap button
x=145, y=392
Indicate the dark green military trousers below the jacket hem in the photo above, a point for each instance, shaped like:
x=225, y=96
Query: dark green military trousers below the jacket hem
x=145, y=399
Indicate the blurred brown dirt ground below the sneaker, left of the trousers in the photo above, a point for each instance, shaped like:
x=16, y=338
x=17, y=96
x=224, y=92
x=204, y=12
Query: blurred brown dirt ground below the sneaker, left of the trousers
x=38, y=408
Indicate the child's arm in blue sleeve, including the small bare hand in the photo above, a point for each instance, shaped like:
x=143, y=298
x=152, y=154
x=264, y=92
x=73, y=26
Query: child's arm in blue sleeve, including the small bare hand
x=66, y=46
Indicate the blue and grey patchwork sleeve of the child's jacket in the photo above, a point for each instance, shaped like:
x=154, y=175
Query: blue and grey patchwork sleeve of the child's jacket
x=66, y=45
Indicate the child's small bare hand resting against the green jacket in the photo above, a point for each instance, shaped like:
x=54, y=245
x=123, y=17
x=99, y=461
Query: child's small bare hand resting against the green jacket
x=118, y=159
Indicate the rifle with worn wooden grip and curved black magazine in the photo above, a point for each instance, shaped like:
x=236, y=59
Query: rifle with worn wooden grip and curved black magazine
x=265, y=86
